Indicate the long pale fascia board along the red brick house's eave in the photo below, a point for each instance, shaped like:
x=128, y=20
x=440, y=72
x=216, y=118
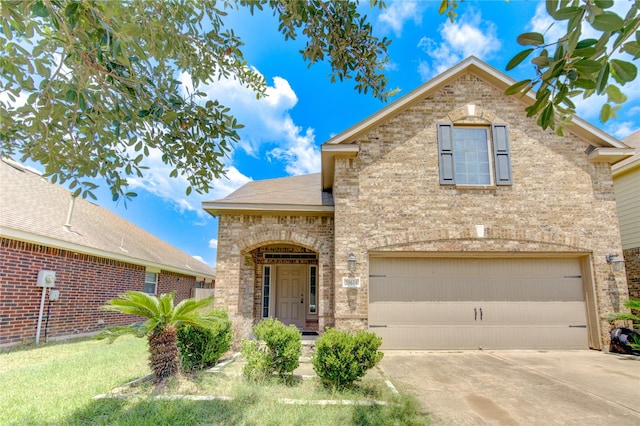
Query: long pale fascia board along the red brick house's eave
x=52, y=242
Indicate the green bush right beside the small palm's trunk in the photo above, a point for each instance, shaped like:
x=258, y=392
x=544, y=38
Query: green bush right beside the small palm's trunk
x=201, y=347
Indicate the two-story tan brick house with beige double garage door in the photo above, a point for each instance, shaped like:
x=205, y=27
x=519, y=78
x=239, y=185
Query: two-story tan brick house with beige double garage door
x=447, y=220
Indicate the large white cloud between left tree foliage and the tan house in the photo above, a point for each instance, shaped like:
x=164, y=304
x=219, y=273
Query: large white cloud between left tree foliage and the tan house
x=267, y=123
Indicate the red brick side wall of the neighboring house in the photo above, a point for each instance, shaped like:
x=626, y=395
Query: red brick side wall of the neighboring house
x=85, y=283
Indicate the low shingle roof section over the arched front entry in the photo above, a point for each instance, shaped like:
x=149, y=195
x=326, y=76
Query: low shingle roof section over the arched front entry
x=294, y=193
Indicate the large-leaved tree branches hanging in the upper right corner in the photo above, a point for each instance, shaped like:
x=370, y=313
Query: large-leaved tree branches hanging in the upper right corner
x=575, y=65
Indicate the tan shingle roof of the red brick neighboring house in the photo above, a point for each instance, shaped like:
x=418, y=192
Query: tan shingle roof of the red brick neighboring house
x=35, y=210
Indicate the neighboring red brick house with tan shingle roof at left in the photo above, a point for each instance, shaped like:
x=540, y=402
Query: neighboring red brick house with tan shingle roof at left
x=95, y=255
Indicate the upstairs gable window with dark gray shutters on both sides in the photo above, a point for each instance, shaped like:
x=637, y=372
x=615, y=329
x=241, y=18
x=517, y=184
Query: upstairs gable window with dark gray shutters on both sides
x=474, y=155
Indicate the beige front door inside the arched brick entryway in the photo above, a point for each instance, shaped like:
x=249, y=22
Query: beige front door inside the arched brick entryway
x=291, y=294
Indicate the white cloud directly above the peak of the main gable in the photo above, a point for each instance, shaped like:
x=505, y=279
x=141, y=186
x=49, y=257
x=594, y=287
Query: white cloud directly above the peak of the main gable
x=469, y=35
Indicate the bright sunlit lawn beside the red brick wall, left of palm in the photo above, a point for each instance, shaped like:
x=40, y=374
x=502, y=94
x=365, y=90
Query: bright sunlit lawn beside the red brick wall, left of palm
x=45, y=384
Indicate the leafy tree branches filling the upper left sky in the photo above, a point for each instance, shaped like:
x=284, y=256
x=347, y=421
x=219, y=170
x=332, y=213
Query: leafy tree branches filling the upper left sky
x=91, y=87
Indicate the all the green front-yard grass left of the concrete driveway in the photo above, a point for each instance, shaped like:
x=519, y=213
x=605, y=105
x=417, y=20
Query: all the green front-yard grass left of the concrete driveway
x=55, y=384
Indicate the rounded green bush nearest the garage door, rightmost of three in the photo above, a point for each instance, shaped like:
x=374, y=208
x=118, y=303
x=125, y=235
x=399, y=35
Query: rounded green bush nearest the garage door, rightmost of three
x=341, y=358
